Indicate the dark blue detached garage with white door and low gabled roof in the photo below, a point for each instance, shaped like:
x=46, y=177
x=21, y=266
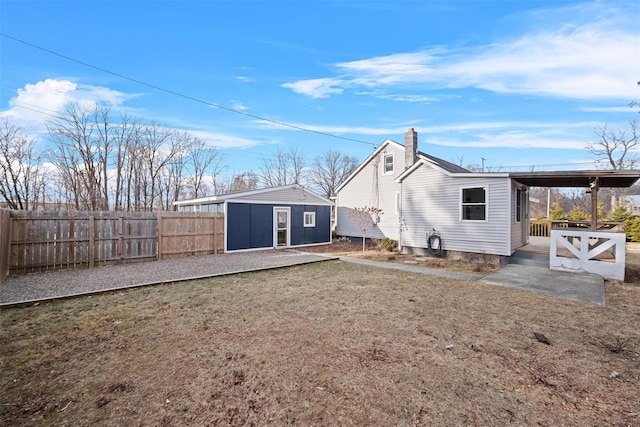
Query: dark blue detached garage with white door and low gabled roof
x=279, y=217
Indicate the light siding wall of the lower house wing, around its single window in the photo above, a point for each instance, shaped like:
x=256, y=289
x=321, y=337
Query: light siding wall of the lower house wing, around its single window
x=431, y=200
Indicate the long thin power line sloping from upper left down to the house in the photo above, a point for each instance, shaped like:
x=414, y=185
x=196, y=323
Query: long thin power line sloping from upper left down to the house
x=181, y=95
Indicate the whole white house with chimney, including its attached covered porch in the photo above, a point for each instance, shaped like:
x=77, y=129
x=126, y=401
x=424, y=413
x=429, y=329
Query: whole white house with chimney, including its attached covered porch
x=472, y=213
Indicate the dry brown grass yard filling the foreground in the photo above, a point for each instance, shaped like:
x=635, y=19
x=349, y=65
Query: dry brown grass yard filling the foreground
x=331, y=343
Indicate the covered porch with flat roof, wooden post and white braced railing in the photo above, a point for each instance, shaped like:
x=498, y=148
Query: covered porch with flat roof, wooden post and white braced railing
x=589, y=247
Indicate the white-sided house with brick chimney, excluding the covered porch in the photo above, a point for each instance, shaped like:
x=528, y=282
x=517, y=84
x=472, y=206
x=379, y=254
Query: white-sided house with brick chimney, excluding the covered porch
x=420, y=194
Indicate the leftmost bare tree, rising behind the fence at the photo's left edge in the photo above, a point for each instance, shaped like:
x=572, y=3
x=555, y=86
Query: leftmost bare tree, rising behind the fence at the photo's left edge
x=19, y=168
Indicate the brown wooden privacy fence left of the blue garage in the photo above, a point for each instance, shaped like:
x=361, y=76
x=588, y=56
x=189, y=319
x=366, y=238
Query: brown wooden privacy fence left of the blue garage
x=32, y=241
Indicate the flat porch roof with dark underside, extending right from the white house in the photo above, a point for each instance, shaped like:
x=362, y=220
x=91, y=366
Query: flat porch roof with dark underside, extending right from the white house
x=581, y=178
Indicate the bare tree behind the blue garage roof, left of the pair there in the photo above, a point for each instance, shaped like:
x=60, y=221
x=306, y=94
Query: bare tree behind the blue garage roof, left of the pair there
x=283, y=168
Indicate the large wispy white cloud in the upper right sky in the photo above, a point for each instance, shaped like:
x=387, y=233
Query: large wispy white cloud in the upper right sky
x=586, y=51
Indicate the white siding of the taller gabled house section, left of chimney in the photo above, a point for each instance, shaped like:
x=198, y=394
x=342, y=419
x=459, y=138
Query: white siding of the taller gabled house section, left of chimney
x=372, y=187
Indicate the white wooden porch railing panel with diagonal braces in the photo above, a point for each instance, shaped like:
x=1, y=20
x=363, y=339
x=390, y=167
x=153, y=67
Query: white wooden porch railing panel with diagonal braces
x=596, y=252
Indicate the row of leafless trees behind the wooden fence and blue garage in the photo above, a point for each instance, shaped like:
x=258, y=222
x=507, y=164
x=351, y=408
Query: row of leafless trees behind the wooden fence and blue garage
x=99, y=160
